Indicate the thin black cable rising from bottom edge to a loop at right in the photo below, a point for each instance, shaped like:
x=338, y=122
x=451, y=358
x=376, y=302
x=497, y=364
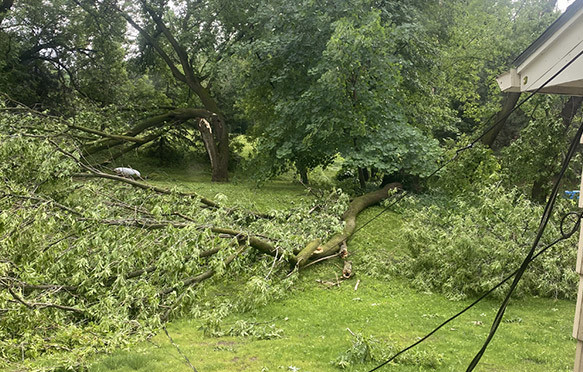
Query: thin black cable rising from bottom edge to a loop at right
x=564, y=236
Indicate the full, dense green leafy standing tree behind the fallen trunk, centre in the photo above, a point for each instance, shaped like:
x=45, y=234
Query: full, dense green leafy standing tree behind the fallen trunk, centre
x=330, y=83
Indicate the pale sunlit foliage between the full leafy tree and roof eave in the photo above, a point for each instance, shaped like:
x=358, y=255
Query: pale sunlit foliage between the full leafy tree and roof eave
x=478, y=40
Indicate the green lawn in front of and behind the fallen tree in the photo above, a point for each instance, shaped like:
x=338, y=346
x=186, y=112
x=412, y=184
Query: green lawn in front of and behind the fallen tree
x=317, y=322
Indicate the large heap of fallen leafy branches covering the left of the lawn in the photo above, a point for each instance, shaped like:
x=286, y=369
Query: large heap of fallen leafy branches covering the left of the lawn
x=88, y=262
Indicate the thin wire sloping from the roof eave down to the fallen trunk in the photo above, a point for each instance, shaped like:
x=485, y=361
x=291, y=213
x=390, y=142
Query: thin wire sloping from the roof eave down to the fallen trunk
x=475, y=141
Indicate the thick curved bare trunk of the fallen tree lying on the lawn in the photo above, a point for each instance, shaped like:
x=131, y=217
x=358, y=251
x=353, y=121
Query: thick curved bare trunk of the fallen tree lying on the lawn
x=360, y=203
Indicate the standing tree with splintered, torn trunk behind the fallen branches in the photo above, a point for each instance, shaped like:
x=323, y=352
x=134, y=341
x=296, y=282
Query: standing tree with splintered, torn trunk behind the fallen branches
x=190, y=38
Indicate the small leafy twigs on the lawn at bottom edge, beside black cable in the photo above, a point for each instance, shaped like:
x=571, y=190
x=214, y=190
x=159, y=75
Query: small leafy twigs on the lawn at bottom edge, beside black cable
x=366, y=349
